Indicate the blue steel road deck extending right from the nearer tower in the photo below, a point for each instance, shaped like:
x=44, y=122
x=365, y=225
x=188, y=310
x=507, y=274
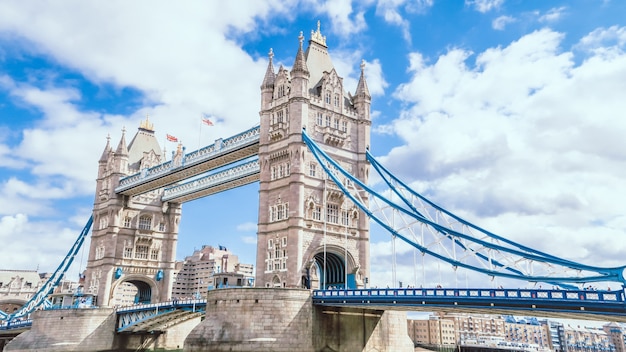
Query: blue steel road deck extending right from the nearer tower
x=593, y=304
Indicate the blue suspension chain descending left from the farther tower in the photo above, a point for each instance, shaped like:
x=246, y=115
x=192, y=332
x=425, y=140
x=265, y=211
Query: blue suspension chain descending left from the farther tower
x=40, y=298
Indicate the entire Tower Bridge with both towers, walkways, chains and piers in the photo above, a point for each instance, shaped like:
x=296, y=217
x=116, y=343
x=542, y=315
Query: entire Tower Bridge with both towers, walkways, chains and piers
x=310, y=157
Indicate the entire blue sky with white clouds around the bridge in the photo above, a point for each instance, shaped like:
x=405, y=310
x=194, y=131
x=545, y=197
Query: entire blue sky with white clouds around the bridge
x=509, y=113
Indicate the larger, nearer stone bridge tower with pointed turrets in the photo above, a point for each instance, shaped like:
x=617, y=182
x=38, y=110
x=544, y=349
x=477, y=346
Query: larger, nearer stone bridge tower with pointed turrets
x=309, y=234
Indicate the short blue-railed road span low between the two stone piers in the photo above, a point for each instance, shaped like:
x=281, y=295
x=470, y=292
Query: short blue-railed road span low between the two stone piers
x=147, y=317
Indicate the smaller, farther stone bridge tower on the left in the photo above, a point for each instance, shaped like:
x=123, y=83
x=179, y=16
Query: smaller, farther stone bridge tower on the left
x=133, y=241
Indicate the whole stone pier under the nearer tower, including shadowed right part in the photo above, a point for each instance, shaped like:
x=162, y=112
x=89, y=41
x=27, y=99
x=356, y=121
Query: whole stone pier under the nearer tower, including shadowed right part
x=269, y=319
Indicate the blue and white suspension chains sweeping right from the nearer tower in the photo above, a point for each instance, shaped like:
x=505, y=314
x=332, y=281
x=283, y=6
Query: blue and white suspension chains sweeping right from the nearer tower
x=446, y=237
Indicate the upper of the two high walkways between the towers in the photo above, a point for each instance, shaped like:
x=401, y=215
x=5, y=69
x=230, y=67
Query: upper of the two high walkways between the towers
x=220, y=147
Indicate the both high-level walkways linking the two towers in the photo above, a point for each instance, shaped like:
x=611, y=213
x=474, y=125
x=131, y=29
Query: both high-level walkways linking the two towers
x=217, y=155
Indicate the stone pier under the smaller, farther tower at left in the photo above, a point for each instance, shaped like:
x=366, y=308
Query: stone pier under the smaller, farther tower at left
x=67, y=330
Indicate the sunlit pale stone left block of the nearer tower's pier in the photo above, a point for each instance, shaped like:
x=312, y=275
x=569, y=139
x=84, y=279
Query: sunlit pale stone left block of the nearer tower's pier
x=254, y=319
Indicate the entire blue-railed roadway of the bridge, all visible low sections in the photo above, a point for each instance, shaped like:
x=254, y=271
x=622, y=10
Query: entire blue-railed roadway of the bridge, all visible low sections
x=565, y=304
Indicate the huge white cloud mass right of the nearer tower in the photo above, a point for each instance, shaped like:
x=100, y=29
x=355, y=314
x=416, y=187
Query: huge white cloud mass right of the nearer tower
x=528, y=153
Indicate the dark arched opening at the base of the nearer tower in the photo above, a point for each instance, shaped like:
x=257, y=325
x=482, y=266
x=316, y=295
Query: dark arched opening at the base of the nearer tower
x=327, y=271
